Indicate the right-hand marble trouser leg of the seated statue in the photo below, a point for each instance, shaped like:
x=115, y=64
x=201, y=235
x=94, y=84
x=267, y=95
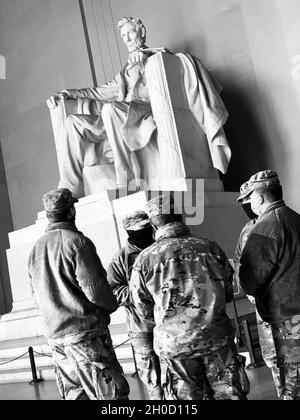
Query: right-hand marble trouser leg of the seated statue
x=114, y=116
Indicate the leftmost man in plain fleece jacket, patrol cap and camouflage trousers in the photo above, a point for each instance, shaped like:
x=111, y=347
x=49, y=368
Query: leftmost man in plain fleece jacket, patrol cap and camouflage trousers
x=72, y=293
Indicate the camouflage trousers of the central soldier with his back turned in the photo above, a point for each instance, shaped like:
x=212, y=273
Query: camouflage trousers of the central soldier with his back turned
x=219, y=375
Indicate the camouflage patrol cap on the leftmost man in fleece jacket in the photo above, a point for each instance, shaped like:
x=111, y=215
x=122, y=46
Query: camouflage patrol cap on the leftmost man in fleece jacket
x=58, y=201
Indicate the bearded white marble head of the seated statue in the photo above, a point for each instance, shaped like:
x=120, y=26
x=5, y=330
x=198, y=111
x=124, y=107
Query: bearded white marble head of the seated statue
x=133, y=33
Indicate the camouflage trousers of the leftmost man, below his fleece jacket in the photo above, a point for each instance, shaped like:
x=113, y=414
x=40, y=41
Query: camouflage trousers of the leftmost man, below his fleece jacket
x=88, y=369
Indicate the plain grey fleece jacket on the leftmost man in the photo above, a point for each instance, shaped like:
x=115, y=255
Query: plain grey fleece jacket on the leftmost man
x=69, y=283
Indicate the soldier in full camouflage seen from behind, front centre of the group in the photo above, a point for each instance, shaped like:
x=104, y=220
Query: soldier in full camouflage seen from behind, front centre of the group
x=179, y=287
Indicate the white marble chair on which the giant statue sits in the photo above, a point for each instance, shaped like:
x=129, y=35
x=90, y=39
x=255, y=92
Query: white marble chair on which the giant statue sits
x=183, y=147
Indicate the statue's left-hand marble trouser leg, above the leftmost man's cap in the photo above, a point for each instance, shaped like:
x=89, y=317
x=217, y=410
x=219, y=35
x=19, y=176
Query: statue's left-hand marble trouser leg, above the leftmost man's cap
x=73, y=145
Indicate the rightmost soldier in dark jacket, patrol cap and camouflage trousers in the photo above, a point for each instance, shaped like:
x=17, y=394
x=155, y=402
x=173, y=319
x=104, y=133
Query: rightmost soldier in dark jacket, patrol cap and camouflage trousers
x=270, y=271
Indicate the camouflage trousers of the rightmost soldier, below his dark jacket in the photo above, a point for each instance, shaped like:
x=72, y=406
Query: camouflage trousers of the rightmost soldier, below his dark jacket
x=280, y=346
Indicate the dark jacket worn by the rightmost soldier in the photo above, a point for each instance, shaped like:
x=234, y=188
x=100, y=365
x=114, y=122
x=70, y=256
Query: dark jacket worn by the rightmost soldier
x=270, y=263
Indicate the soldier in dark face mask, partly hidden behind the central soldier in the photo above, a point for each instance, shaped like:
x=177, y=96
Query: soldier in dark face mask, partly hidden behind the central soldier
x=140, y=236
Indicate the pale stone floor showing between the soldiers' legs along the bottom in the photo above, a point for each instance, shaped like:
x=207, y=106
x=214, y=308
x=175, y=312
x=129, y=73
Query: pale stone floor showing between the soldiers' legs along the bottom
x=262, y=388
